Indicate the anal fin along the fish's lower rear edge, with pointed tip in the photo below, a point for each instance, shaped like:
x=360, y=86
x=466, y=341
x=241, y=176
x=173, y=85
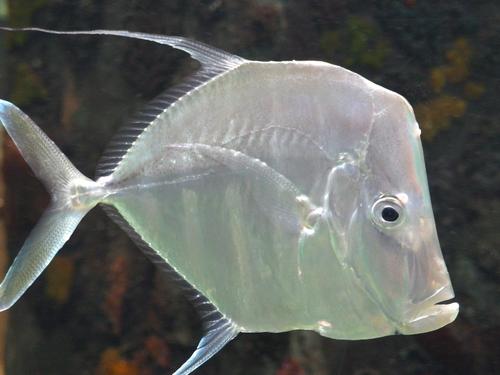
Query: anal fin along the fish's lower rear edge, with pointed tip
x=219, y=330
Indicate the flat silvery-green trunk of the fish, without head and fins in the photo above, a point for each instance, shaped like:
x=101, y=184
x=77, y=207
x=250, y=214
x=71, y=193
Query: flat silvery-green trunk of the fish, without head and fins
x=221, y=213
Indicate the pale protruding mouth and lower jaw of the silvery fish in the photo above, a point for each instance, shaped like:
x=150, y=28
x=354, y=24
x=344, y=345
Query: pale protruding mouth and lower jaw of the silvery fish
x=432, y=313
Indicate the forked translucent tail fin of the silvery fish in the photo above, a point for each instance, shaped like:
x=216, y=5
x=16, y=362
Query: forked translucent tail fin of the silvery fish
x=73, y=195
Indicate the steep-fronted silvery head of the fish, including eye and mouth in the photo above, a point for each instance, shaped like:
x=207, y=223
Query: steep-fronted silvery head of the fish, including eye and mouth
x=391, y=240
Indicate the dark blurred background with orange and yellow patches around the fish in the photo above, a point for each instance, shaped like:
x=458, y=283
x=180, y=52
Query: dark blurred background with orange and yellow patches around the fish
x=102, y=308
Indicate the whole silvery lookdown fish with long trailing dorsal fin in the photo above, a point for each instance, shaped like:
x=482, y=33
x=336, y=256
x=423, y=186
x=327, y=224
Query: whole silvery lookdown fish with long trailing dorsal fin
x=281, y=195
